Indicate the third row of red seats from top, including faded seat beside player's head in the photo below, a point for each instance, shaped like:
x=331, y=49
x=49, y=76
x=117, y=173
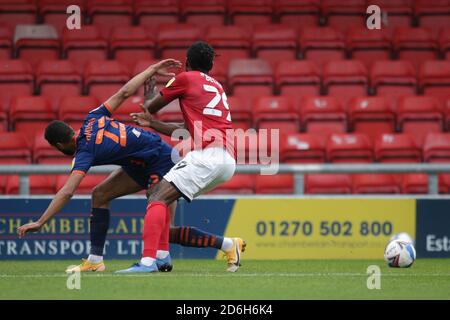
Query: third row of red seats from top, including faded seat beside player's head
x=244, y=77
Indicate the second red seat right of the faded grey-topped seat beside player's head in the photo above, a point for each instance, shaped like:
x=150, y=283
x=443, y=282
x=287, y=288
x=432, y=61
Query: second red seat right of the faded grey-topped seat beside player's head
x=345, y=79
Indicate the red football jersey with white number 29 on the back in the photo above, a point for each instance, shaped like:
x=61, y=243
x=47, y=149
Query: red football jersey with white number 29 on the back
x=203, y=103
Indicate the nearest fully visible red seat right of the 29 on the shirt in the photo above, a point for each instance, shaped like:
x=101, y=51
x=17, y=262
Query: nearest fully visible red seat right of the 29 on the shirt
x=272, y=112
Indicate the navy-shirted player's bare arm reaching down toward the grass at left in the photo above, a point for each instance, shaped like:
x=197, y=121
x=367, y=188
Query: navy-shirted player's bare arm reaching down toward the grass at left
x=61, y=198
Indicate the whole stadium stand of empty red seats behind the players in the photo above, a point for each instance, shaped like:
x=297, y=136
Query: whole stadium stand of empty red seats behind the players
x=338, y=91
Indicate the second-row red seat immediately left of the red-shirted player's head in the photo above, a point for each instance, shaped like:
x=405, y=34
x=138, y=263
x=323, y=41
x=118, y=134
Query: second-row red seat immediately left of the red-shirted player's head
x=174, y=39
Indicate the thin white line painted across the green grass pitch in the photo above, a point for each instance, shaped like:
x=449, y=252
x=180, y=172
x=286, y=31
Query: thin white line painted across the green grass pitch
x=243, y=275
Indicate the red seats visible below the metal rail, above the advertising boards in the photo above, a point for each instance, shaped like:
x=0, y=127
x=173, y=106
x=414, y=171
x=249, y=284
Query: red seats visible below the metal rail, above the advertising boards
x=248, y=184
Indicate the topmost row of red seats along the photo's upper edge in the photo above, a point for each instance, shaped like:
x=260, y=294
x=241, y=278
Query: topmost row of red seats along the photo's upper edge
x=335, y=13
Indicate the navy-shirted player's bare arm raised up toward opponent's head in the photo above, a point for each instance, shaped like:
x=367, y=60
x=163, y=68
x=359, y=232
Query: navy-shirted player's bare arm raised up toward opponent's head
x=137, y=81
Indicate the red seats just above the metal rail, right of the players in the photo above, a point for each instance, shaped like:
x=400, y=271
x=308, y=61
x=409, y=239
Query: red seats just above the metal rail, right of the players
x=346, y=148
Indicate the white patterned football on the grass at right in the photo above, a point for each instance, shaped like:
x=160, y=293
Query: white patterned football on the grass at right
x=400, y=254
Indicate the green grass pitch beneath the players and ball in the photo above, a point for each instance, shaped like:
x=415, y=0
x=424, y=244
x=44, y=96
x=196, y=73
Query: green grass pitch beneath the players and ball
x=207, y=279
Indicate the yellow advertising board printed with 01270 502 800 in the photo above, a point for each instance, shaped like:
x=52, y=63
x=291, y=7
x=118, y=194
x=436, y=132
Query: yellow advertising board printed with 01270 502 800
x=320, y=228
